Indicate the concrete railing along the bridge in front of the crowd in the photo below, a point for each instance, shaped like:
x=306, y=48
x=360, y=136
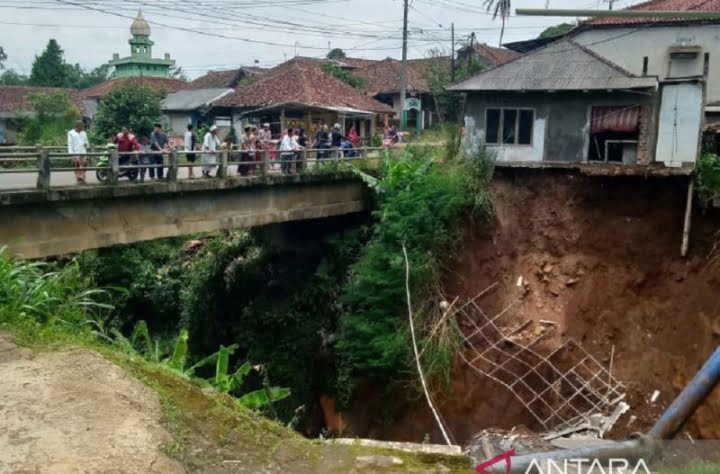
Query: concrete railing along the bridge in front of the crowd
x=54, y=166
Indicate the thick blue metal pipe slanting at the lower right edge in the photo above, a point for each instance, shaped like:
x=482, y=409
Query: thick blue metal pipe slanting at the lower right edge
x=689, y=399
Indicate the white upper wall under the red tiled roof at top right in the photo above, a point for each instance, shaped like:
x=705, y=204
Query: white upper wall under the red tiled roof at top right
x=628, y=46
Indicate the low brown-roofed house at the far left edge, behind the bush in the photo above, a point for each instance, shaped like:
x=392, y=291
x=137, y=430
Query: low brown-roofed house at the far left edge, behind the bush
x=15, y=103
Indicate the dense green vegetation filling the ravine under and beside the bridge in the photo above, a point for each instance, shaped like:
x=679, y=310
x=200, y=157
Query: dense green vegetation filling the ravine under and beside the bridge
x=317, y=316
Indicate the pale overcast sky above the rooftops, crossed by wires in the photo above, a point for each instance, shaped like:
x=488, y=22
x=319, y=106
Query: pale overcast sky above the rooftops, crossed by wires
x=90, y=31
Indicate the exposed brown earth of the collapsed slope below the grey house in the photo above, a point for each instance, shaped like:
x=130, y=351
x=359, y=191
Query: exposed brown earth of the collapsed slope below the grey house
x=599, y=260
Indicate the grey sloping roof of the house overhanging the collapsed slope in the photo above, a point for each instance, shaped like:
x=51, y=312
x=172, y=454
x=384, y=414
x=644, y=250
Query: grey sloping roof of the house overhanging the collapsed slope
x=564, y=65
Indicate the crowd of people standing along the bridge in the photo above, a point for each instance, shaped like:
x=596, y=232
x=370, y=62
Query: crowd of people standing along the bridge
x=148, y=152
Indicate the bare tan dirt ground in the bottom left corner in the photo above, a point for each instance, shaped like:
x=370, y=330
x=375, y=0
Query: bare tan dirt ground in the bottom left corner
x=72, y=411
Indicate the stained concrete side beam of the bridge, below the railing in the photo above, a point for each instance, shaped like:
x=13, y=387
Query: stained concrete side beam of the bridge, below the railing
x=46, y=222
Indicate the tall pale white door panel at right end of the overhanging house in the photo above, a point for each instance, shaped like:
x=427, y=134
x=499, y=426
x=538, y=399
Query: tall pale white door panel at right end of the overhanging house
x=679, y=124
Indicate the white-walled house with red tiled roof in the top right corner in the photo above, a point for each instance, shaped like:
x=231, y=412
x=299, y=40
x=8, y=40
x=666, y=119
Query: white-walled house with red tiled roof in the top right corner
x=670, y=48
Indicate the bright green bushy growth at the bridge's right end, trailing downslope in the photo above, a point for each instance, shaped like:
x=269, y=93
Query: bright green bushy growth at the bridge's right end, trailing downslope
x=421, y=205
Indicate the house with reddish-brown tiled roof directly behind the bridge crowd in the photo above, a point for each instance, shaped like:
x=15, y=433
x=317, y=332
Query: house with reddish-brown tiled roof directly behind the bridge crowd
x=298, y=93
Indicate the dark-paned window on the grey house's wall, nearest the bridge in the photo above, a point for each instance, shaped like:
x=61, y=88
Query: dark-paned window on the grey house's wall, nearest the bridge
x=509, y=126
